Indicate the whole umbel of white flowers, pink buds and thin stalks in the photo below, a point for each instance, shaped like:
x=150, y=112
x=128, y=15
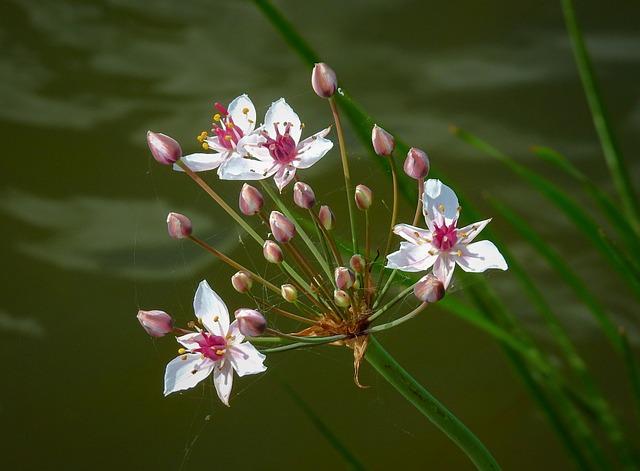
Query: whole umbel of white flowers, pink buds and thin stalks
x=334, y=292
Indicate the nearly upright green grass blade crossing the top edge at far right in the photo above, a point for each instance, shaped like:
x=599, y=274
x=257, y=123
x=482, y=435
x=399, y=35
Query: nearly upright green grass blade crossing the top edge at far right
x=611, y=150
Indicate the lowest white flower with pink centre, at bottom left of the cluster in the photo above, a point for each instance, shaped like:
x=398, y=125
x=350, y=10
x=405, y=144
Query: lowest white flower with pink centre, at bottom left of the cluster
x=217, y=349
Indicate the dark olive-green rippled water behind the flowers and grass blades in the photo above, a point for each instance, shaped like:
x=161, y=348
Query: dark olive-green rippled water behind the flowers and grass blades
x=84, y=241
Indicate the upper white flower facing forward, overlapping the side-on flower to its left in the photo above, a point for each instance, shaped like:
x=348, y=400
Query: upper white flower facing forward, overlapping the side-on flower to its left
x=275, y=149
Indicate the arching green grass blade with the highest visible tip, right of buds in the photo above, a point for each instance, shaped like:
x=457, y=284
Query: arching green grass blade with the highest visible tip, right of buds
x=567, y=205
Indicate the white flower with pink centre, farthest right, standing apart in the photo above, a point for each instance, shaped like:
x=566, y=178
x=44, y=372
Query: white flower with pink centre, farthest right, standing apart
x=443, y=245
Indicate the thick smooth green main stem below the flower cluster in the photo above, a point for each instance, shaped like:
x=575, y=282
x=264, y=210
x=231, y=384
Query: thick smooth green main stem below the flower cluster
x=429, y=406
